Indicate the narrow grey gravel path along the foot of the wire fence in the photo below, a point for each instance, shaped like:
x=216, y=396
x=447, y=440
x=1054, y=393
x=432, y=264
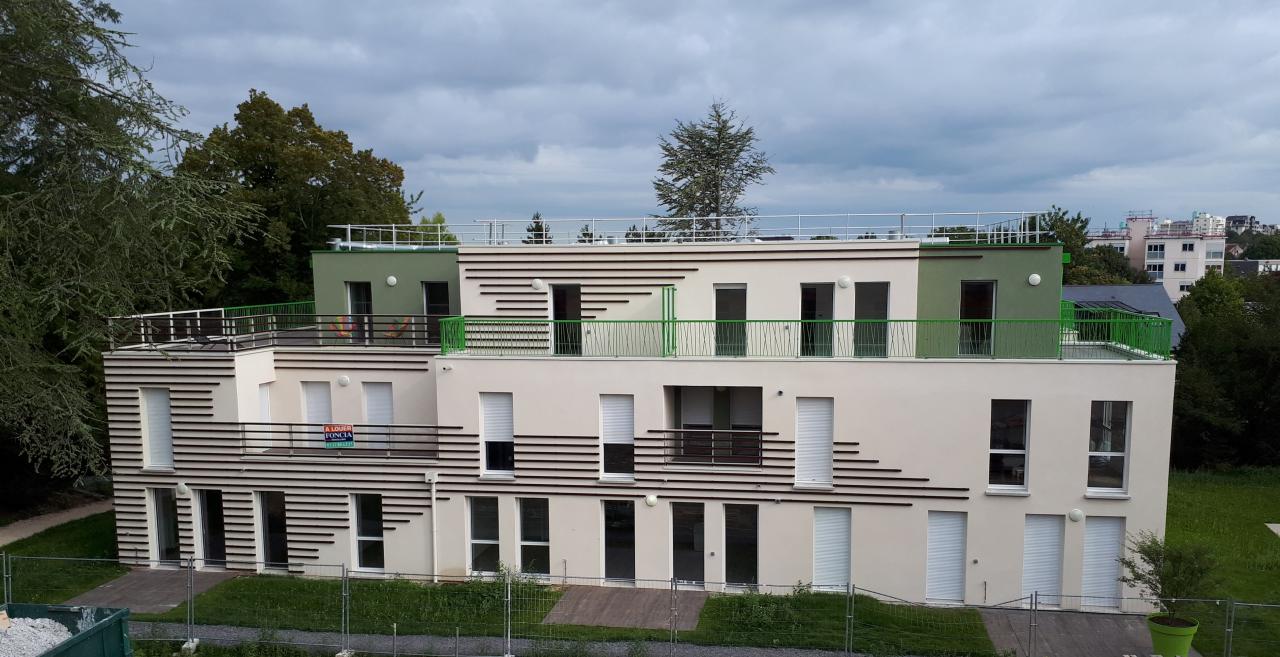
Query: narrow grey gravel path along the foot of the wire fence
x=330, y=644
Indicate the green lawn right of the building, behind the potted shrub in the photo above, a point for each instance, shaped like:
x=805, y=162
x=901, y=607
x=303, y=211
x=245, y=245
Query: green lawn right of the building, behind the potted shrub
x=1228, y=513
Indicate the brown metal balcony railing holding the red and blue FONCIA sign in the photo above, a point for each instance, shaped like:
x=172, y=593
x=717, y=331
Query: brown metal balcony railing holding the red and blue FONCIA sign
x=369, y=441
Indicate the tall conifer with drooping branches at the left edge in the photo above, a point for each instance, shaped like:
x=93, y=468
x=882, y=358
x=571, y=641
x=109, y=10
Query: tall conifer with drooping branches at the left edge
x=93, y=222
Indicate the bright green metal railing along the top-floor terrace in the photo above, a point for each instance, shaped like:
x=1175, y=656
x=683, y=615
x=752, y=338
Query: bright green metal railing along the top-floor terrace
x=1116, y=336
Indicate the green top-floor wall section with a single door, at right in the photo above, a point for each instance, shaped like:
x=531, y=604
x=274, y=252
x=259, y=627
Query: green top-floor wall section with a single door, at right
x=943, y=270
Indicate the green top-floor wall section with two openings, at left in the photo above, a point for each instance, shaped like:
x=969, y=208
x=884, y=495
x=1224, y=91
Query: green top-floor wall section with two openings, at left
x=333, y=270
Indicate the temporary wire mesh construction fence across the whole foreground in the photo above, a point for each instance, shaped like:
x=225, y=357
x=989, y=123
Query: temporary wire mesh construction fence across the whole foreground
x=331, y=609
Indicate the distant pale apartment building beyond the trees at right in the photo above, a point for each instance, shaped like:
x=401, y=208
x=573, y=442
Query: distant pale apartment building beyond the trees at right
x=1177, y=254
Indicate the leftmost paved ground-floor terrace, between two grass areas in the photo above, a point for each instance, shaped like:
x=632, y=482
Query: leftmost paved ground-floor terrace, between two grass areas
x=150, y=591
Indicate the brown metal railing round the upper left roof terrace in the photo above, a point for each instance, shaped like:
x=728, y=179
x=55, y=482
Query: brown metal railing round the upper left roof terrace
x=222, y=334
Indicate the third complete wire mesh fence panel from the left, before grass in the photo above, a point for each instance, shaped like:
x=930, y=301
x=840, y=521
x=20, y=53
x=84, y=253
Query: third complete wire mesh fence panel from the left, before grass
x=410, y=614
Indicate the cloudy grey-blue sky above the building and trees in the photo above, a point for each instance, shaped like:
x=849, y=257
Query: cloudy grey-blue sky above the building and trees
x=499, y=109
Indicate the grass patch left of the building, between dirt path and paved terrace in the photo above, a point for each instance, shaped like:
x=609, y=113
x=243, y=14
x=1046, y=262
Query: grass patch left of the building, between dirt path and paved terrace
x=54, y=581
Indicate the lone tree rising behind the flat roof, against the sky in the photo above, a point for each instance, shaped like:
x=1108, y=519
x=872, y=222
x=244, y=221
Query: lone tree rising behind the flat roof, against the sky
x=707, y=167
